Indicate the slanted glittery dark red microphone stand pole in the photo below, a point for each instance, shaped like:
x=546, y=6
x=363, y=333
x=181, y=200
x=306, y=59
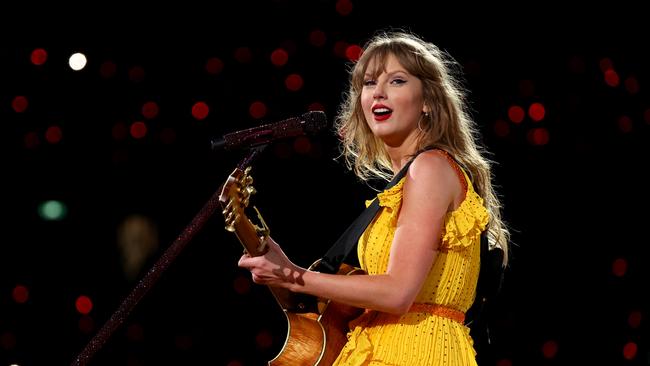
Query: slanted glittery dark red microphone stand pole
x=156, y=271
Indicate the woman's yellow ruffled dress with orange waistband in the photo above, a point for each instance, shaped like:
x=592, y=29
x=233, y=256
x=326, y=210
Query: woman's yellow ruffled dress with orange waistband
x=432, y=333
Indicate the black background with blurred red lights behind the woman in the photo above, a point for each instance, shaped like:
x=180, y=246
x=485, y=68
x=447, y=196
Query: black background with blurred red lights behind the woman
x=576, y=205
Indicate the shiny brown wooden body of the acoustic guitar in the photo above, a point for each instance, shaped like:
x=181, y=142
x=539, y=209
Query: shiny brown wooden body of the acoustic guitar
x=316, y=338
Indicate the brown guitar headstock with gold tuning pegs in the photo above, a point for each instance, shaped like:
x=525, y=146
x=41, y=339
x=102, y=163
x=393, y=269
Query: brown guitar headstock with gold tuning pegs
x=234, y=198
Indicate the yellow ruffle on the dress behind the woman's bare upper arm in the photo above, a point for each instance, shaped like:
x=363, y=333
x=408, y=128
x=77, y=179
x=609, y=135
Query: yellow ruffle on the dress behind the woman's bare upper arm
x=466, y=223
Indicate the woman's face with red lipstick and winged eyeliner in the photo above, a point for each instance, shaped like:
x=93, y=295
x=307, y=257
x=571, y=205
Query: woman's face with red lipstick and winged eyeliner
x=392, y=102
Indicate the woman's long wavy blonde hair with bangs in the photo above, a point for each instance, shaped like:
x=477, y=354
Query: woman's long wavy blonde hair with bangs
x=448, y=126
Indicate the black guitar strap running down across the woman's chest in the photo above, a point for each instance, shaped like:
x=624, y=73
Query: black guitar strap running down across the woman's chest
x=347, y=243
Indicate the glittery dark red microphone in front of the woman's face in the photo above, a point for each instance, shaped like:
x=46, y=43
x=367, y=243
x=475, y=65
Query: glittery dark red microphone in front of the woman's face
x=308, y=123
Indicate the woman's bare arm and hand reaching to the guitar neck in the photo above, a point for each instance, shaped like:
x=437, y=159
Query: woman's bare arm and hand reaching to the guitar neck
x=430, y=190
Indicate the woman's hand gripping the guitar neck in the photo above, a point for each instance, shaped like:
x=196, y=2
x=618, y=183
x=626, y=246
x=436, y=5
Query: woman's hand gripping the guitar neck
x=272, y=268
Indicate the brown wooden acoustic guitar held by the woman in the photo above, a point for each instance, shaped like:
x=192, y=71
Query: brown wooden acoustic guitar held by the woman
x=317, y=327
